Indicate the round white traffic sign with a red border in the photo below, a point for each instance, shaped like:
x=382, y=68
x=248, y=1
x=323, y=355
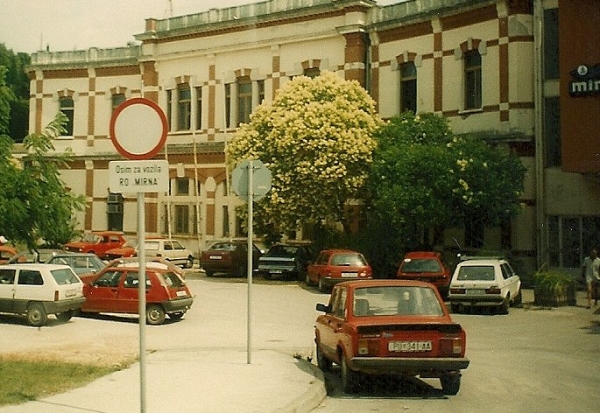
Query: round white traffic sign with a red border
x=138, y=128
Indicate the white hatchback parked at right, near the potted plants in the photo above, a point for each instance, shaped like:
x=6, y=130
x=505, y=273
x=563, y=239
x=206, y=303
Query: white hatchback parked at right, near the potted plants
x=484, y=282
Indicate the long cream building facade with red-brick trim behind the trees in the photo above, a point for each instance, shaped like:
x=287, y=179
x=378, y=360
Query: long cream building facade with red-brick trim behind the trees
x=492, y=67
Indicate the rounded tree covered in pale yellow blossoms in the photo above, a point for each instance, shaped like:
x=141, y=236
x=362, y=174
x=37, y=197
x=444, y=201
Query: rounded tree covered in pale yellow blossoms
x=316, y=139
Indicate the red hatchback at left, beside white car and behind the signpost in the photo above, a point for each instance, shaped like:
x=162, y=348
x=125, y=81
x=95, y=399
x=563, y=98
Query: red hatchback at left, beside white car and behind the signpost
x=115, y=290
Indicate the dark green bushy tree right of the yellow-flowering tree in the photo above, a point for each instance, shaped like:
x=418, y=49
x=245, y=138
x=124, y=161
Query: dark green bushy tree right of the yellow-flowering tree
x=424, y=176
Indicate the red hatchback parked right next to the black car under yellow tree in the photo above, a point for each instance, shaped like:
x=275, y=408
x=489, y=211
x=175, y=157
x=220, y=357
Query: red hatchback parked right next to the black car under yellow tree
x=336, y=265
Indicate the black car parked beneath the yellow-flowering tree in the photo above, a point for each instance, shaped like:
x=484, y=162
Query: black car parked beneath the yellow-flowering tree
x=287, y=261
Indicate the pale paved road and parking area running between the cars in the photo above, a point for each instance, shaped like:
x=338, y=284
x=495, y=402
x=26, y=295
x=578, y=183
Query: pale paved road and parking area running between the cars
x=531, y=360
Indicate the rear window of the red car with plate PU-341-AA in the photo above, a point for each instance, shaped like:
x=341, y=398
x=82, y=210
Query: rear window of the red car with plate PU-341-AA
x=394, y=301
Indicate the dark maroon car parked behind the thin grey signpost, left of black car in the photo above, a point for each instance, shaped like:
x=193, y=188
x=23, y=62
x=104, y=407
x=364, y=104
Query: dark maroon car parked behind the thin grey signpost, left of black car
x=229, y=257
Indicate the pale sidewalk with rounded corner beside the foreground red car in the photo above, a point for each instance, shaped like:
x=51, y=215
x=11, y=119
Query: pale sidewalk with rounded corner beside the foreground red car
x=206, y=381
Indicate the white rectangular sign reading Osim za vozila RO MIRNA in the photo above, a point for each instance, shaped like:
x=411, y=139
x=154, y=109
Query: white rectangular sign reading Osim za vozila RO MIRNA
x=138, y=176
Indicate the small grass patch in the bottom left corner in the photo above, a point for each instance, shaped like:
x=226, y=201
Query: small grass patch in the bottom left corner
x=23, y=380
